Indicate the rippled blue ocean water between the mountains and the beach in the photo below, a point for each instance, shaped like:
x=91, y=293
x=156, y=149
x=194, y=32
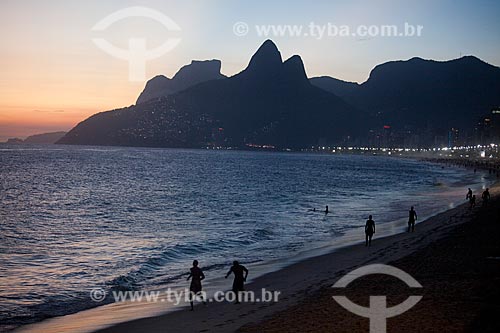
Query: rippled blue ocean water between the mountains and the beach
x=76, y=217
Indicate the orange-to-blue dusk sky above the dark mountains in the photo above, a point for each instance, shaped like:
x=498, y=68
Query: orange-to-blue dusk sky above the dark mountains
x=53, y=75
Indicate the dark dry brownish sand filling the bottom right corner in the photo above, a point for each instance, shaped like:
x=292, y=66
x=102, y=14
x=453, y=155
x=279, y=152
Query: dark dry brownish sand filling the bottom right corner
x=460, y=275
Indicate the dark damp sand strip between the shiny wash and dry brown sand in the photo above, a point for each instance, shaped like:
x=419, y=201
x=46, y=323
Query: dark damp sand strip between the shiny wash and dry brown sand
x=296, y=282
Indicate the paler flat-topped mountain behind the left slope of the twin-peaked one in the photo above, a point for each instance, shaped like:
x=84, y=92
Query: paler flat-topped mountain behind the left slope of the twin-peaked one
x=187, y=76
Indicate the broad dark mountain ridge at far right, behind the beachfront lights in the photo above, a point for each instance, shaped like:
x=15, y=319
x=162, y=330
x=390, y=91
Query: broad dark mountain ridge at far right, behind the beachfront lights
x=424, y=94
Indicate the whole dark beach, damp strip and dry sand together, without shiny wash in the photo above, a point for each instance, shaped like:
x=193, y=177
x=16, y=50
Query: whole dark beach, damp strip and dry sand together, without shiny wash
x=453, y=255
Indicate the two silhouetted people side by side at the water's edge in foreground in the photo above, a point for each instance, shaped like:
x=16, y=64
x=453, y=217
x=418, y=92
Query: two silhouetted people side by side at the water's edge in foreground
x=196, y=275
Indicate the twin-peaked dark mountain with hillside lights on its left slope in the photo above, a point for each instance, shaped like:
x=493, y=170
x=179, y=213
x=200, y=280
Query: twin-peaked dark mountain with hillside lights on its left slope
x=271, y=102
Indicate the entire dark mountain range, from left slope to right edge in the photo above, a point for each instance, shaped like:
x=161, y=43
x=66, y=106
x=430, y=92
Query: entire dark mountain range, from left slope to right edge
x=272, y=102
